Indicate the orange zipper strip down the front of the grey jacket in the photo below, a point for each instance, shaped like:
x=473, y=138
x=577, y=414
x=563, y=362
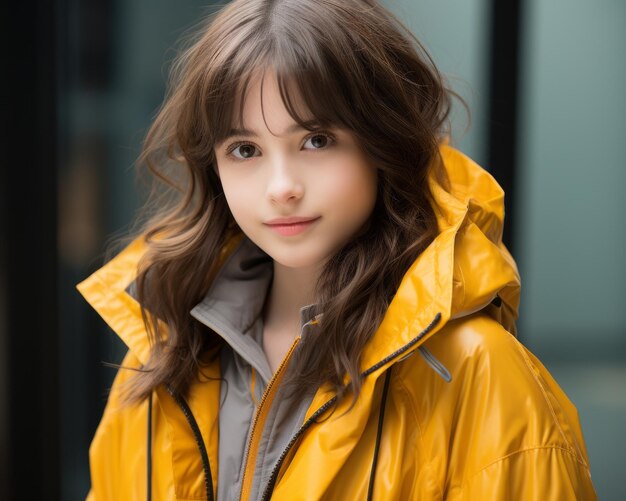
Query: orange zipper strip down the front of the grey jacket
x=259, y=423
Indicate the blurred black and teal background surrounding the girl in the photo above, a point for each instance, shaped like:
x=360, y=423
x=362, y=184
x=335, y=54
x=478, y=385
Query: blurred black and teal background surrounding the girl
x=545, y=83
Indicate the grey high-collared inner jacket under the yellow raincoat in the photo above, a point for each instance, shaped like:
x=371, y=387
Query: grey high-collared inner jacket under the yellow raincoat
x=233, y=308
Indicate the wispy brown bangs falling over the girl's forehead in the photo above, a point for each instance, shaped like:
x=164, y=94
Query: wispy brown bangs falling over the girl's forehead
x=311, y=92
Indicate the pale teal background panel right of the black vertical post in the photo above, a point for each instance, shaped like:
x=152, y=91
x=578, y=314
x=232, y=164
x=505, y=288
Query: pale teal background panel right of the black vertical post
x=573, y=174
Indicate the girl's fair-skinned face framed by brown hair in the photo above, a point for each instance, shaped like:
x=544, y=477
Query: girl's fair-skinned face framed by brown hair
x=298, y=195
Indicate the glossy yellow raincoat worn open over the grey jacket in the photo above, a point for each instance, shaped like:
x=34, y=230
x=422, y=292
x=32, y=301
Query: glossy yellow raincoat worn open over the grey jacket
x=502, y=429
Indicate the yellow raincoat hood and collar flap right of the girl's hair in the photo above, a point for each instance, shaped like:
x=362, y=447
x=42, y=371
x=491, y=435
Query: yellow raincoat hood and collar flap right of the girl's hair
x=465, y=269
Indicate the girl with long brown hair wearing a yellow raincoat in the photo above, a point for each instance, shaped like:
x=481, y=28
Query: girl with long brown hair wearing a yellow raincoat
x=326, y=309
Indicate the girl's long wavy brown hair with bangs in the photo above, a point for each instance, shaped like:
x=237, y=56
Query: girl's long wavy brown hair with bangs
x=354, y=66
